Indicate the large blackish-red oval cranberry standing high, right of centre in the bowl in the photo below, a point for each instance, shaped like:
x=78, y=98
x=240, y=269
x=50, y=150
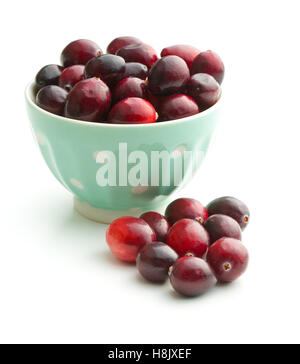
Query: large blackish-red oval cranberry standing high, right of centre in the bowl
x=169, y=75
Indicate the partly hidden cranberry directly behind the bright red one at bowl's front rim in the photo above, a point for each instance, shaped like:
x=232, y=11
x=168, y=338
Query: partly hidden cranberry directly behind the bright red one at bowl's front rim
x=129, y=87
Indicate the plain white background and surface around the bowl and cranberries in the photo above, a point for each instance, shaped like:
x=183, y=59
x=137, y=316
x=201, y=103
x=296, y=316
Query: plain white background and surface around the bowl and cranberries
x=58, y=281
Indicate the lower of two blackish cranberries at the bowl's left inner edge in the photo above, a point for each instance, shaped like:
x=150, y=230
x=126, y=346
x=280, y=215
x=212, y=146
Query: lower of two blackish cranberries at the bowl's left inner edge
x=52, y=98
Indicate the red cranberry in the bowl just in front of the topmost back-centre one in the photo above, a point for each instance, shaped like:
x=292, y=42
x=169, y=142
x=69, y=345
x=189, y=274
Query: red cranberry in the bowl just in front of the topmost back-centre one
x=141, y=53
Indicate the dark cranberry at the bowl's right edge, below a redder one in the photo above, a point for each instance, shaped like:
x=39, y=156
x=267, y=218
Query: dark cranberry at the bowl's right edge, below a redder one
x=204, y=89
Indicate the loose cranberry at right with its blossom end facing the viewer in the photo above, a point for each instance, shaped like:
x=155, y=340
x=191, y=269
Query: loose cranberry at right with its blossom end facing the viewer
x=228, y=258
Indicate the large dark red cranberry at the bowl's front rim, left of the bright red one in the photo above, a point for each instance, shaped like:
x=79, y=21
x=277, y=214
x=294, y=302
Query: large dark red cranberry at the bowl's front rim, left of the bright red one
x=89, y=100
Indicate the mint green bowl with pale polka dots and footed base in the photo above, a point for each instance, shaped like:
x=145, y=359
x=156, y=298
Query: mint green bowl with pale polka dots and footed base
x=76, y=151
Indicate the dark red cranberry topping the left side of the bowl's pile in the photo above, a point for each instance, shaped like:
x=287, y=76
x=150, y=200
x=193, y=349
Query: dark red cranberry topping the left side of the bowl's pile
x=79, y=52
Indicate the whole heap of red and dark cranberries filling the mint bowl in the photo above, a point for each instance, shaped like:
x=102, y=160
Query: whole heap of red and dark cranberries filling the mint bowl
x=129, y=84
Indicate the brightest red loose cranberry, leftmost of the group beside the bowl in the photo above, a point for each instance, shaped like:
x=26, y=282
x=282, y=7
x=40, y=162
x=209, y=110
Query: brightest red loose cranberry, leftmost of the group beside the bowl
x=127, y=235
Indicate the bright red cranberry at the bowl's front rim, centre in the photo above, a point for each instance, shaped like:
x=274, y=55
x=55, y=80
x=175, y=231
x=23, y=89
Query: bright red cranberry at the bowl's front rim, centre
x=132, y=110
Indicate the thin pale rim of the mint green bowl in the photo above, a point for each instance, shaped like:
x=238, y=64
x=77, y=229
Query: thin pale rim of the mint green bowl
x=29, y=98
